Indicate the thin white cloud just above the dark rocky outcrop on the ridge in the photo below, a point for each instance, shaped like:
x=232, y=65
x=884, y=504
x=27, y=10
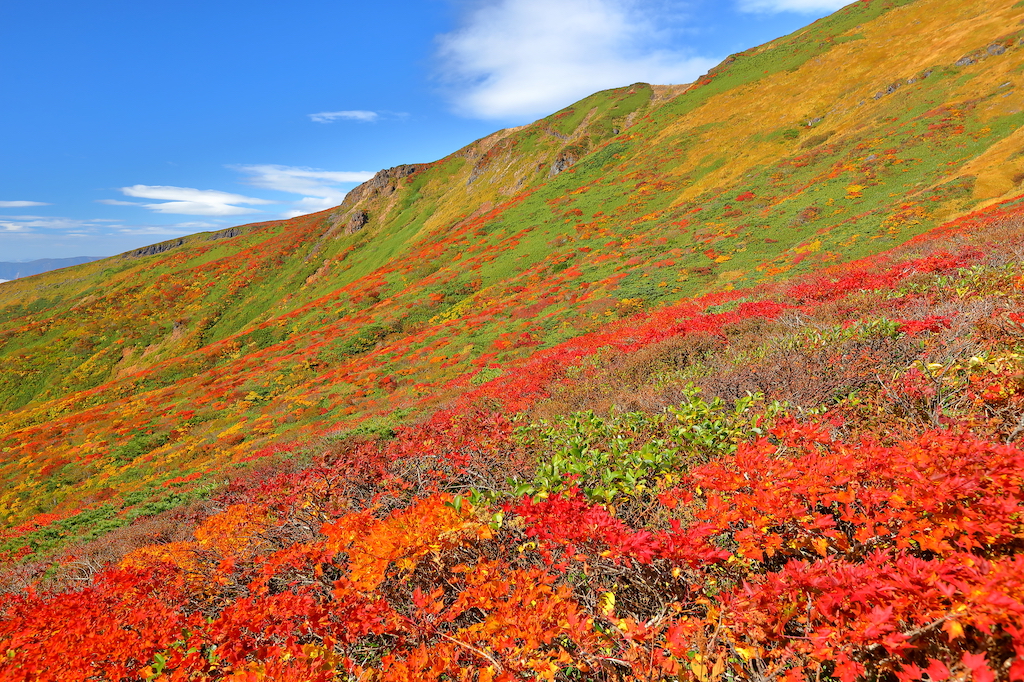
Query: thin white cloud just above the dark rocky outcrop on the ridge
x=319, y=189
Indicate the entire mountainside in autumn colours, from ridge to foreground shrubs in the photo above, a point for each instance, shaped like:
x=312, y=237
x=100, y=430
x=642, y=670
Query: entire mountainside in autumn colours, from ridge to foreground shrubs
x=715, y=381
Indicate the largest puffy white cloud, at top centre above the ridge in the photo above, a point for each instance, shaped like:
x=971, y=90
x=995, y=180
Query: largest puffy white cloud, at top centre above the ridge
x=529, y=58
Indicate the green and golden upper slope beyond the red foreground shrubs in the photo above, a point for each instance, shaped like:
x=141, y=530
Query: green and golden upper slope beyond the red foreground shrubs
x=125, y=376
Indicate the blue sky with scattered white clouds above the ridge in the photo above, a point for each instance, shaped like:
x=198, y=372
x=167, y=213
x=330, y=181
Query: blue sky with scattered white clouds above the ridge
x=123, y=124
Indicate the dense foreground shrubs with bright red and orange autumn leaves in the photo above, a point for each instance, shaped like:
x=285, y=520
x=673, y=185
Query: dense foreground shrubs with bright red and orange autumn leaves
x=815, y=481
